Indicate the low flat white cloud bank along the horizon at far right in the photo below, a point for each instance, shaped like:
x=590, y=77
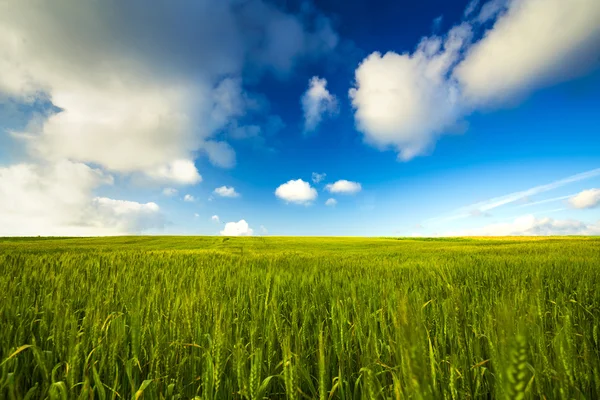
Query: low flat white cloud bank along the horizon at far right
x=529, y=225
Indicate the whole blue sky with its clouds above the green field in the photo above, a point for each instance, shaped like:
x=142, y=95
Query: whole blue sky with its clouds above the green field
x=298, y=117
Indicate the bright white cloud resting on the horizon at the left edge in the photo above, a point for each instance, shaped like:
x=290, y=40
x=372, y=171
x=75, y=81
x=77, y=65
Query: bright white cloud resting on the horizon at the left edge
x=57, y=199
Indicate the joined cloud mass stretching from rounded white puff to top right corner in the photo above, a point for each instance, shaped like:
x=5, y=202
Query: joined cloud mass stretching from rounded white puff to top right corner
x=406, y=101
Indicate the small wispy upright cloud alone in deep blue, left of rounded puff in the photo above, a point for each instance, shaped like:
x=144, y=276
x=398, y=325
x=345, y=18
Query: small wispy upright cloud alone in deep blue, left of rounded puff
x=316, y=102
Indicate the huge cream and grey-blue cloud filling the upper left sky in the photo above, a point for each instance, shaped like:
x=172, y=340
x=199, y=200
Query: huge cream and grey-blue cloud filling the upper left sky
x=139, y=86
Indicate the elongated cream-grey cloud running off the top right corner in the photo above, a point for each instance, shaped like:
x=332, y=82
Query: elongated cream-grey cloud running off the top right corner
x=523, y=50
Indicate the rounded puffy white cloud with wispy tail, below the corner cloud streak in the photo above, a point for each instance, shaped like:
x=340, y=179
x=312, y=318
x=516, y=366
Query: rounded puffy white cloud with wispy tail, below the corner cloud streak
x=404, y=101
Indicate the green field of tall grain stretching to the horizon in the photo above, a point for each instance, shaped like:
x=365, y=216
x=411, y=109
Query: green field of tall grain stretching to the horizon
x=318, y=318
